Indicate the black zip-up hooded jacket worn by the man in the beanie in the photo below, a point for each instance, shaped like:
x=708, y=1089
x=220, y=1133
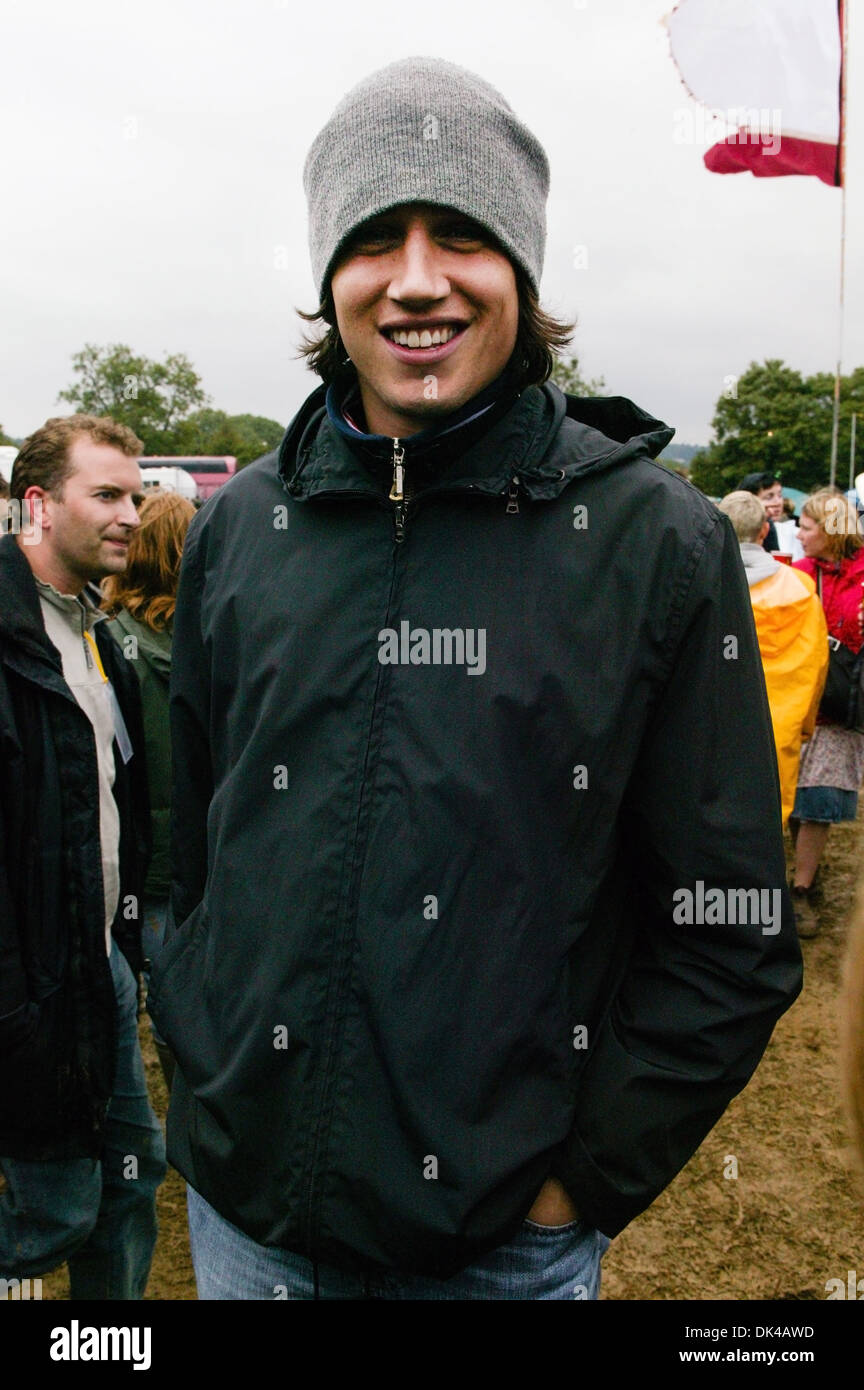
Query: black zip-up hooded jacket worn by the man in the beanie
x=430, y=943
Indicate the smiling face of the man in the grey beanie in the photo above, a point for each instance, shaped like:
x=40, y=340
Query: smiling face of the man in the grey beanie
x=410, y=277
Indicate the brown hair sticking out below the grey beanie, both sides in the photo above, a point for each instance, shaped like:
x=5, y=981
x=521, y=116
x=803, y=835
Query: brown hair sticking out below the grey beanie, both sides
x=540, y=338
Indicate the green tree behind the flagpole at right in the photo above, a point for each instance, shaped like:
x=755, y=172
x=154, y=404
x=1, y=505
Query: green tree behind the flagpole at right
x=773, y=418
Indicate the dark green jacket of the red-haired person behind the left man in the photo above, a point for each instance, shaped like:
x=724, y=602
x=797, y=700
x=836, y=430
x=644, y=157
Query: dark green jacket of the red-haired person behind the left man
x=151, y=660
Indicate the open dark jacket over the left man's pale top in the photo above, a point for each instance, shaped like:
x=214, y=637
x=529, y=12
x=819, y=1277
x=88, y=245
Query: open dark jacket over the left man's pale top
x=58, y=1032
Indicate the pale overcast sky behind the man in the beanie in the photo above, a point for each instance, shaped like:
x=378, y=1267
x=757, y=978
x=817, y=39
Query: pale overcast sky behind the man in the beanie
x=152, y=165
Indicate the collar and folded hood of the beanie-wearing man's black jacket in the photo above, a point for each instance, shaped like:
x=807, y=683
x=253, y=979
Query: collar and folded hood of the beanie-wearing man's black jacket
x=542, y=440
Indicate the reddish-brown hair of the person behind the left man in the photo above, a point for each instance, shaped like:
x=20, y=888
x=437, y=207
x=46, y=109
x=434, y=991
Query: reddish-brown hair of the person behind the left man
x=148, y=587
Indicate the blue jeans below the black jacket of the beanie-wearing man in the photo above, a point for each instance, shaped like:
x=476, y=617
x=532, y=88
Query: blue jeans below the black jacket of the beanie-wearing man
x=538, y=1263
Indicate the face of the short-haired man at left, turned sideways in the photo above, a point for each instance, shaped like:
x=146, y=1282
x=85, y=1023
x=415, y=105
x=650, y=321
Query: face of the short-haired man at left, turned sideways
x=85, y=532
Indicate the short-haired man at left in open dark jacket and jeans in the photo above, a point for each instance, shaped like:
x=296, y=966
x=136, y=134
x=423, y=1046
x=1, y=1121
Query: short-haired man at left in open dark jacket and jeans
x=81, y=1150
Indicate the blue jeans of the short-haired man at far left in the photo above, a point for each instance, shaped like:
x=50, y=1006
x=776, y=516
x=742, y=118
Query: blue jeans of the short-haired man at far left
x=97, y=1214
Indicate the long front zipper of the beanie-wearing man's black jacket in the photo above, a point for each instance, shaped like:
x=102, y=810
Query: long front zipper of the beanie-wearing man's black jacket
x=344, y=953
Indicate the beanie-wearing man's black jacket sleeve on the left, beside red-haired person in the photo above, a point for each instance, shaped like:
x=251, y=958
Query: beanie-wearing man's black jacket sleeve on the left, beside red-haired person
x=192, y=776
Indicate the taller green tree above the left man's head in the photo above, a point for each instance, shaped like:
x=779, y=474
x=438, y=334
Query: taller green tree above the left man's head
x=153, y=398
